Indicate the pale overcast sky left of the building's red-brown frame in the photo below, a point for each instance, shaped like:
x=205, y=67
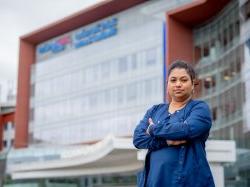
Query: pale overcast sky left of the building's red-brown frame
x=19, y=17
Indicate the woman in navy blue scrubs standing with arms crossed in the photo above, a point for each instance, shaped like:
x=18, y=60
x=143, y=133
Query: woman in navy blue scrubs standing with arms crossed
x=175, y=136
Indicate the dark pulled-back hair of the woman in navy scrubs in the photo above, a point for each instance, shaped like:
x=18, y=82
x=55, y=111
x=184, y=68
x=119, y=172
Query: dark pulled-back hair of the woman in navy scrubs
x=180, y=64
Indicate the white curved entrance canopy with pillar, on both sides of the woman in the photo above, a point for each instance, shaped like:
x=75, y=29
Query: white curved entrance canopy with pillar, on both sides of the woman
x=111, y=155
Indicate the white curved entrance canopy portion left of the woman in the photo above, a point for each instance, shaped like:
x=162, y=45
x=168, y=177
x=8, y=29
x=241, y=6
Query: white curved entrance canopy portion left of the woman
x=111, y=155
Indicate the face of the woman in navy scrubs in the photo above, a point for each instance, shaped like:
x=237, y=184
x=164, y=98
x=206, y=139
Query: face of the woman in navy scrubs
x=180, y=86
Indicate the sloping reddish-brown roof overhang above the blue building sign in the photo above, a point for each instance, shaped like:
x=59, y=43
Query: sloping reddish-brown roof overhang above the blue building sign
x=81, y=18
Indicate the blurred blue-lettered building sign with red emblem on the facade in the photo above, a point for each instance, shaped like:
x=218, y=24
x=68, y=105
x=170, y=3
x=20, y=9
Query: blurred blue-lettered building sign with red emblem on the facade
x=76, y=39
